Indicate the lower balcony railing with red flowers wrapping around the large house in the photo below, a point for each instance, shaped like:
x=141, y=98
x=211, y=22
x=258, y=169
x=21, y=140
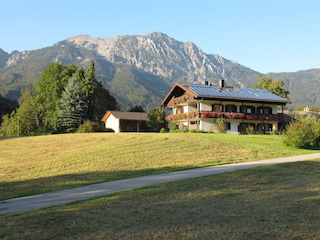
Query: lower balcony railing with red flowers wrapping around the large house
x=226, y=115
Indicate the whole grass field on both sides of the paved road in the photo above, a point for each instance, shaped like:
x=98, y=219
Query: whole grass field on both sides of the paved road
x=276, y=202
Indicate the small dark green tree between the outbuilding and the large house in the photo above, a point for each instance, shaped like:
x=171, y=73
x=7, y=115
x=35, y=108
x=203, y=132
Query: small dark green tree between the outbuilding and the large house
x=156, y=119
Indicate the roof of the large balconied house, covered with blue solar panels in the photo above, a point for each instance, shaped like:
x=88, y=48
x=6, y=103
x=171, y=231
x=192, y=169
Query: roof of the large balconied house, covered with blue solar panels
x=224, y=93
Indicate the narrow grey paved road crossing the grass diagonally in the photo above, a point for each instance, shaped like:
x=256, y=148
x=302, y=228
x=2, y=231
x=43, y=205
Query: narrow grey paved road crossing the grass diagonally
x=24, y=204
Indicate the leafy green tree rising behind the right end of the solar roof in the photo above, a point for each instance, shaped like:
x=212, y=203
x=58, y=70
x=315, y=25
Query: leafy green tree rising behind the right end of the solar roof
x=276, y=87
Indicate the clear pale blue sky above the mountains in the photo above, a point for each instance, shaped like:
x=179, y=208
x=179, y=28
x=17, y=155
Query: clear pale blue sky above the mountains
x=266, y=36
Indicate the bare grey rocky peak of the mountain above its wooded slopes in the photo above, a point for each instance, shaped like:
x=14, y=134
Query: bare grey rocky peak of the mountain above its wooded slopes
x=159, y=54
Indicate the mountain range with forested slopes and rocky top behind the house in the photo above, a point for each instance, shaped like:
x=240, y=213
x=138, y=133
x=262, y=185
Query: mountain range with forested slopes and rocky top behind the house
x=139, y=70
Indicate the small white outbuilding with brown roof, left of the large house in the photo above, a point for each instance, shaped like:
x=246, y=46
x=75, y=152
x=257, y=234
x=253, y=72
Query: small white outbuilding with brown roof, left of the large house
x=125, y=121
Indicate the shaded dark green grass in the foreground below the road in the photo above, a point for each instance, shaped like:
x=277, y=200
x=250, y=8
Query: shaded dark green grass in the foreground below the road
x=276, y=202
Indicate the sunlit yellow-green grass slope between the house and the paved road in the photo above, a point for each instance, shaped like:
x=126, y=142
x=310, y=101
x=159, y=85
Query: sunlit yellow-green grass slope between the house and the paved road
x=31, y=165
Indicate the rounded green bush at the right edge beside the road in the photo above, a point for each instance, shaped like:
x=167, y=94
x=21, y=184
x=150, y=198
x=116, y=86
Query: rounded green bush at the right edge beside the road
x=304, y=133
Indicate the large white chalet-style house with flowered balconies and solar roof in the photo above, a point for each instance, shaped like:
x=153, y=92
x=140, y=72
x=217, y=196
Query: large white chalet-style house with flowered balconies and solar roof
x=218, y=108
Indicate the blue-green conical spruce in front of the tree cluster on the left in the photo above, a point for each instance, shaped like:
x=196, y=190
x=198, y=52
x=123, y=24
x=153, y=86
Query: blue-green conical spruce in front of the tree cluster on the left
x=73, y=106
